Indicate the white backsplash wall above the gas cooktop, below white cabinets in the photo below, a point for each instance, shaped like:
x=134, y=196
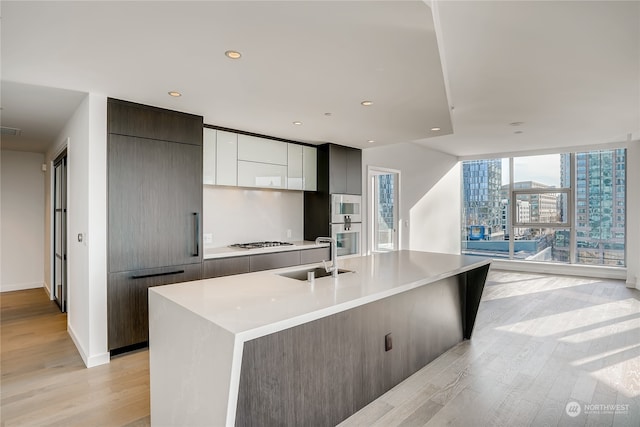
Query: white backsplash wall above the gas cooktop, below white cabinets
x=237, y=215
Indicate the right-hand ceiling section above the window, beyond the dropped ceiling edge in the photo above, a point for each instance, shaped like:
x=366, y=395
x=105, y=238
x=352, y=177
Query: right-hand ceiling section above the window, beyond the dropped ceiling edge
x=570, y=70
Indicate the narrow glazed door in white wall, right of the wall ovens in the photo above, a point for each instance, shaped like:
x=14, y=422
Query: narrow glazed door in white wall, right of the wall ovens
x=384, y=188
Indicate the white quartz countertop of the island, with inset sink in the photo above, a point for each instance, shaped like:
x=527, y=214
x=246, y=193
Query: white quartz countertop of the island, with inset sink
x=256, y=304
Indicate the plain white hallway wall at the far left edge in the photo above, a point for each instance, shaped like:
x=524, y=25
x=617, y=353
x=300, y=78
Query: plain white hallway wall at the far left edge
x=22, y=219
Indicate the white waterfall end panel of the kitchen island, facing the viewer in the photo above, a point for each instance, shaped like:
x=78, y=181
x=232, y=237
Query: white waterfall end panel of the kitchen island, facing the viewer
x=190, y=364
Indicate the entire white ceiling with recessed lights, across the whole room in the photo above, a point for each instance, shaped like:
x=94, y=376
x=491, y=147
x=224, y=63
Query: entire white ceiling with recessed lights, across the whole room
x=569, y=70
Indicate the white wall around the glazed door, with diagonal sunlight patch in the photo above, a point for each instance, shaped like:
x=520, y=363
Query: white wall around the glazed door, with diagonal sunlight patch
x=429, y=195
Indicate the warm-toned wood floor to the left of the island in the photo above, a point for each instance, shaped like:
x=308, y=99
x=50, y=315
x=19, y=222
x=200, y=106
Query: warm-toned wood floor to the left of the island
x=45, y=382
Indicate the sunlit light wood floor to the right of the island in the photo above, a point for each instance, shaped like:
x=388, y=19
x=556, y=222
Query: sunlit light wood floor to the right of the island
x=540, y=342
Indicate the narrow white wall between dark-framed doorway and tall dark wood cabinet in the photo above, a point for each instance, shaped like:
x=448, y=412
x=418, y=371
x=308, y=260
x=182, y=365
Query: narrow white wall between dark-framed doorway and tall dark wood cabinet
x=85, y=135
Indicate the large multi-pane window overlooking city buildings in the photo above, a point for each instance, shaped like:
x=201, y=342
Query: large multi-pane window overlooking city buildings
x=566, y=208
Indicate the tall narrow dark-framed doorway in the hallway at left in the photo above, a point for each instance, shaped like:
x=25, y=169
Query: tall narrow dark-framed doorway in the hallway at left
x=60, y=230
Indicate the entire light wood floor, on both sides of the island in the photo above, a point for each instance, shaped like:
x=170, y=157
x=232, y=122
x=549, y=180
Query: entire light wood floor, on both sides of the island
x=540, y=343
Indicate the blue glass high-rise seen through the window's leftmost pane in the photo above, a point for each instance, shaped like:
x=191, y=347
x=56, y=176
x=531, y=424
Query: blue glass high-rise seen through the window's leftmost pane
x=481, y=184
